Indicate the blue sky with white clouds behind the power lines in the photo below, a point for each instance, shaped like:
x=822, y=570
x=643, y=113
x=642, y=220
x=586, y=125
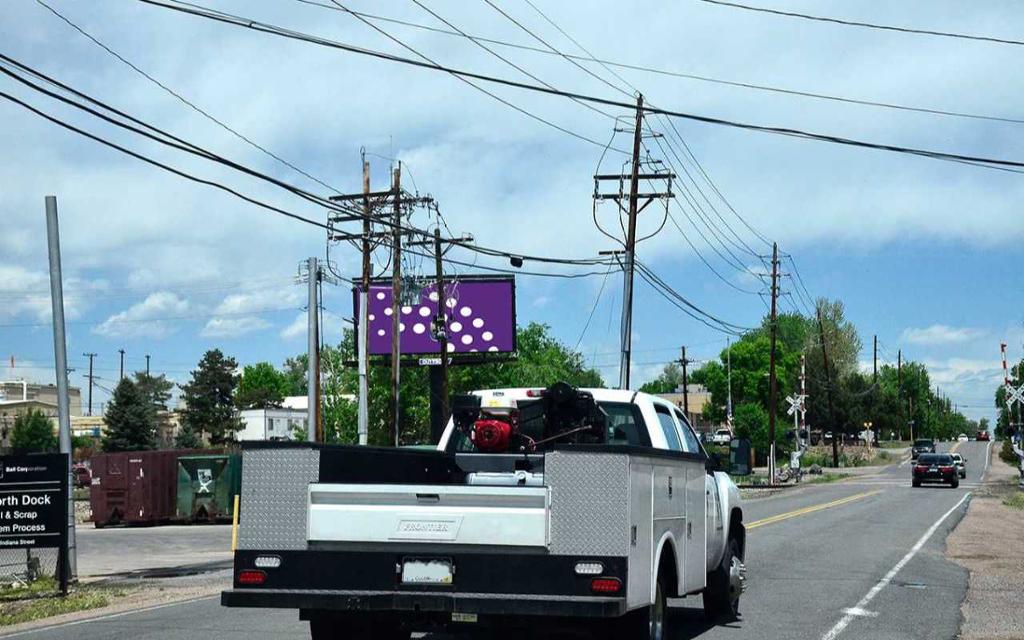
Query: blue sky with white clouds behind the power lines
x=922, y=252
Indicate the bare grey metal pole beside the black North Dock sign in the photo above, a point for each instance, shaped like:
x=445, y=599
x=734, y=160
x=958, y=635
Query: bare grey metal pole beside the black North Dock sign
x=69, y=566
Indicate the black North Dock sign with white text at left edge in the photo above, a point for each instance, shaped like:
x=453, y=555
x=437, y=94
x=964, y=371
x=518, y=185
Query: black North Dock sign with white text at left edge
x=33, y=501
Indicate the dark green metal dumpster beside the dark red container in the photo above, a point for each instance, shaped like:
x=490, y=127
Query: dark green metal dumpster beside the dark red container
x=207, y=487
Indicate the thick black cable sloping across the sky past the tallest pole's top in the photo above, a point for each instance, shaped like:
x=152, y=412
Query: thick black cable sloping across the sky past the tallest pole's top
x=976, y=161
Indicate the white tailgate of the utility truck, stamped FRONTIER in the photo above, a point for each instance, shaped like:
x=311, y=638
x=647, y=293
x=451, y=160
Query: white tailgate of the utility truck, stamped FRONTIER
x=517, y=517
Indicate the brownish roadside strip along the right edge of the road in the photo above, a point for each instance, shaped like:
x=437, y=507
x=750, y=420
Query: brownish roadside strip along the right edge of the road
x=990, y=545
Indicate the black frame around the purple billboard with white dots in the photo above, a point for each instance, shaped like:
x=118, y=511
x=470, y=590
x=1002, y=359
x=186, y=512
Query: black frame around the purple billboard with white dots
x=434, y=359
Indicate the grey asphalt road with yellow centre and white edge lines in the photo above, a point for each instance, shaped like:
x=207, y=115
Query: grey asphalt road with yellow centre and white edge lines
x=862, y=559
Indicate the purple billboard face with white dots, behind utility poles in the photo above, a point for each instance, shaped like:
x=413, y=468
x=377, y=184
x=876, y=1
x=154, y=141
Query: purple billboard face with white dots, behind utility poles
x=481, y=318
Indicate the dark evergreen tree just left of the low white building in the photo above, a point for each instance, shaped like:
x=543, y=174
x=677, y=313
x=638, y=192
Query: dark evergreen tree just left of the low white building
x=209, y=399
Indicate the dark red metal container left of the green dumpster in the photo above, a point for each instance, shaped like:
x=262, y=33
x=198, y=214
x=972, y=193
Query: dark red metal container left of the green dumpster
x=135, y=488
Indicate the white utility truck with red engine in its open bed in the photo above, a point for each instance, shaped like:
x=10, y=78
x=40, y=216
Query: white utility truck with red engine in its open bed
x=540, y=509
